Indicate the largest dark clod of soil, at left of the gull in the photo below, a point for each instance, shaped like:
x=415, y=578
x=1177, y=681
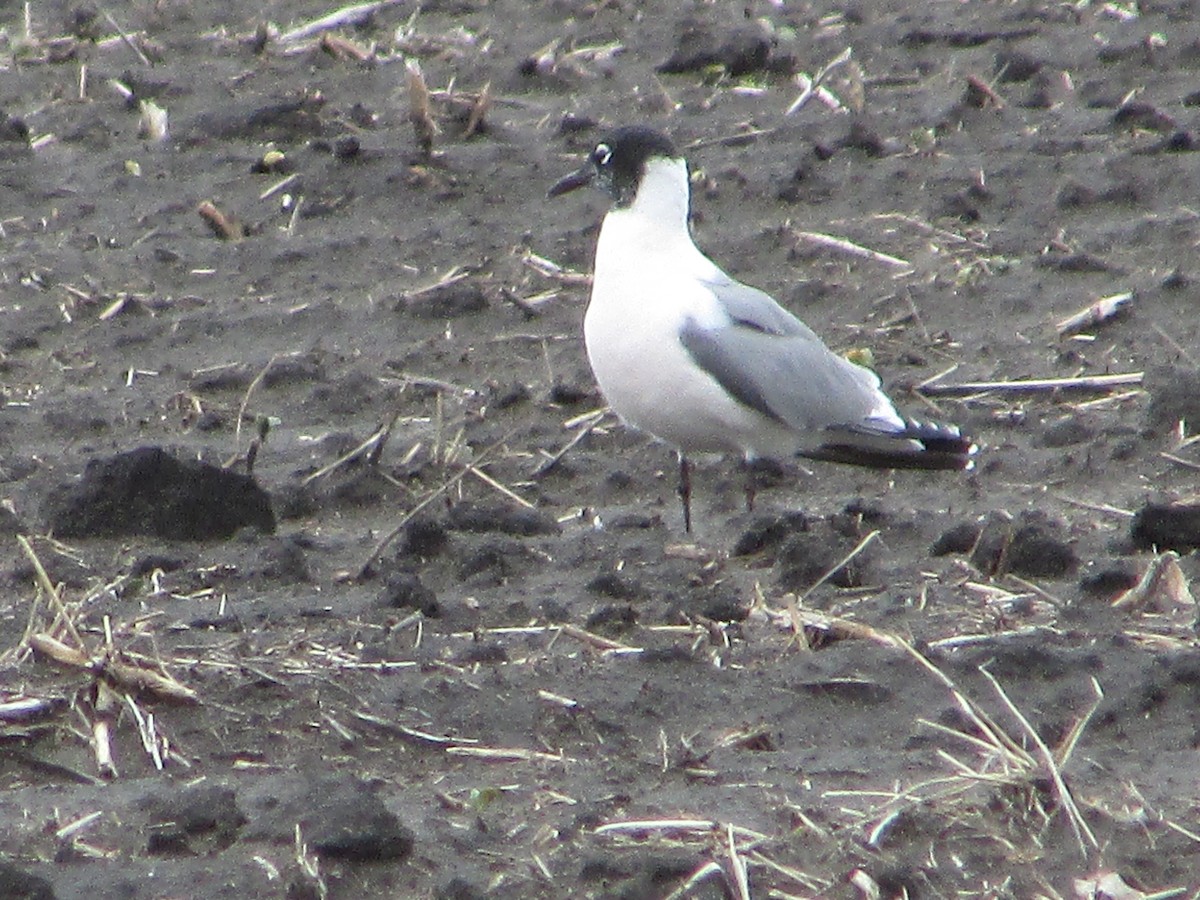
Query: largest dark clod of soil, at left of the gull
x=148, y=491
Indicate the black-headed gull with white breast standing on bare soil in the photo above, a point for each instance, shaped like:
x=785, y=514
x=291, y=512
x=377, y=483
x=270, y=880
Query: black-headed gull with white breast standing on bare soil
x=705, y=363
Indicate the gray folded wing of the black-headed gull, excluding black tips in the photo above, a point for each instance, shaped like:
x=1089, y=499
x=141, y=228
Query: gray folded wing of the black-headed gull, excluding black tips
x=776, y=364
